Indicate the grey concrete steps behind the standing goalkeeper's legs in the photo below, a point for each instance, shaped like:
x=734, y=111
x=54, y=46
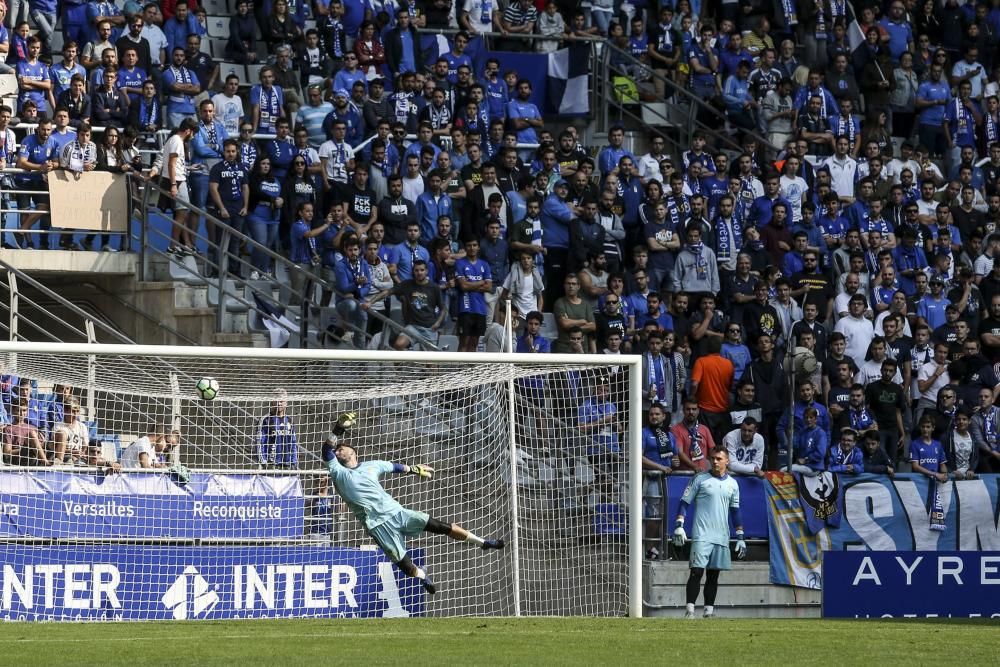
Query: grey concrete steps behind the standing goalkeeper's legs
x=744, y=592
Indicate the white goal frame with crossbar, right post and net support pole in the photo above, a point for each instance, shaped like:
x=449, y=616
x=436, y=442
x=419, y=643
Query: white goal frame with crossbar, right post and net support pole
x=633, y=437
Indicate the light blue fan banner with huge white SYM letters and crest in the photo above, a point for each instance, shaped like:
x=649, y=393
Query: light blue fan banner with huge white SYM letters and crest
x=880, y=514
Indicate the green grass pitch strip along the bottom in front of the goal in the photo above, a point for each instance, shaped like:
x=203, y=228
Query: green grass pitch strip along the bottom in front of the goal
x=487, y=641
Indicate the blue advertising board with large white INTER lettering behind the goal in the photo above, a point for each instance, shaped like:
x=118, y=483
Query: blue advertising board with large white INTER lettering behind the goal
x=117, y=582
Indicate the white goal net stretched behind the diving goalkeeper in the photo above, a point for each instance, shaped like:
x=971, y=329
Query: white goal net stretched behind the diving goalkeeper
x=123, y=495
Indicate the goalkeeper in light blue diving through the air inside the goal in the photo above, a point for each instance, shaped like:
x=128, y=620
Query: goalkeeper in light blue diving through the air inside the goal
x=384, y=519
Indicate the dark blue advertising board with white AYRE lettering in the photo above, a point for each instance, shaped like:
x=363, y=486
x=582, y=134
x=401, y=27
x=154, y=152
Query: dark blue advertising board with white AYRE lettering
x=911, y=584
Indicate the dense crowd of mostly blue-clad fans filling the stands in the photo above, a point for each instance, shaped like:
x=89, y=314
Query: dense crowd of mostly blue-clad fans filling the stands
x=863, y=230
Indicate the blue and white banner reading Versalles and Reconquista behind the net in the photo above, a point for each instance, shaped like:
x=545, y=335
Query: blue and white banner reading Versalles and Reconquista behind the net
x=49, y=504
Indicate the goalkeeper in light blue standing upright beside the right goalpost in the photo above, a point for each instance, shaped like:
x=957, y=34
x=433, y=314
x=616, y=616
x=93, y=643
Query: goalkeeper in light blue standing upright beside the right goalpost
x=717, y=498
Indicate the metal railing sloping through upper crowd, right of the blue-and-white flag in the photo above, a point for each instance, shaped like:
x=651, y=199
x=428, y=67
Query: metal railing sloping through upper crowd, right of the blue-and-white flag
x=696, y=108
